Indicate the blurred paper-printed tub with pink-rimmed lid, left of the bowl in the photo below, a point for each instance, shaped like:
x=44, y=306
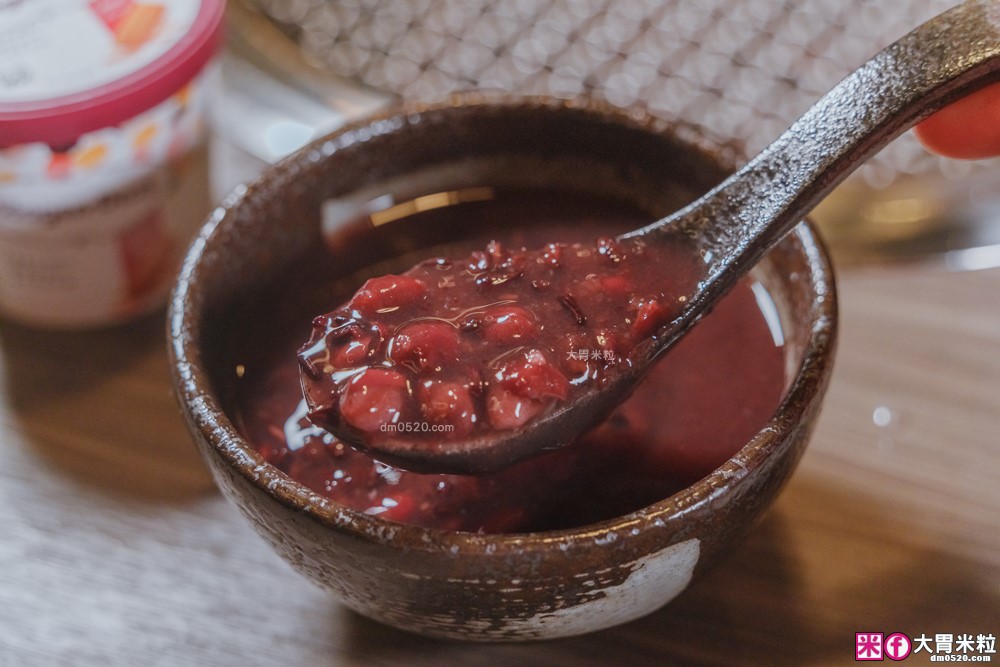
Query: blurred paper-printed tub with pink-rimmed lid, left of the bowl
x=103, y=174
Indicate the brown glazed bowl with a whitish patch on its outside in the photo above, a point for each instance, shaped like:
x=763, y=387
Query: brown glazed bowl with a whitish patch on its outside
x=465, y=585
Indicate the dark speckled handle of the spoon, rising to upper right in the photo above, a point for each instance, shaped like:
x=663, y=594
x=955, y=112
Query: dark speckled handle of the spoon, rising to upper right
x=942, y=60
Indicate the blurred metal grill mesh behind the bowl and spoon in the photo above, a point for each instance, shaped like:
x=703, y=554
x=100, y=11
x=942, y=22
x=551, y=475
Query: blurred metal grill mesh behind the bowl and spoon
x=735, y=69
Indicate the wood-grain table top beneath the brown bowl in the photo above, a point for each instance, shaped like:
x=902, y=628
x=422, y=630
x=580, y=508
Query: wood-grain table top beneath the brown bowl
x=116, y=549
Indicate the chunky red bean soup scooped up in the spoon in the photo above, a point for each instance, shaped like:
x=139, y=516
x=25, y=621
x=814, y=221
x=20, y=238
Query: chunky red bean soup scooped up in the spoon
x=488, y=342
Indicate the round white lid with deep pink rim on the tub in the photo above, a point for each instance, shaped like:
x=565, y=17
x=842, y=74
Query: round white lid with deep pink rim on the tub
x=68, y=67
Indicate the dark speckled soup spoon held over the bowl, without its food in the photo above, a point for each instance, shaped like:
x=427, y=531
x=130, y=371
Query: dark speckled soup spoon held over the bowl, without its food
x=737, y=222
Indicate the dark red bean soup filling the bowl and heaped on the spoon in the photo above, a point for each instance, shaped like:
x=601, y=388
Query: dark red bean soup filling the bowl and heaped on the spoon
x=702, y=402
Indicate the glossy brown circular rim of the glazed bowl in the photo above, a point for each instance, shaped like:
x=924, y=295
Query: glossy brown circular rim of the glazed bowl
x=204, y=413
